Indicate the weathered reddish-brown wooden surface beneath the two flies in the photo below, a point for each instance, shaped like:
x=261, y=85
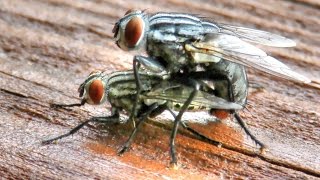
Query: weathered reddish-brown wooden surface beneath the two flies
x=47, y=48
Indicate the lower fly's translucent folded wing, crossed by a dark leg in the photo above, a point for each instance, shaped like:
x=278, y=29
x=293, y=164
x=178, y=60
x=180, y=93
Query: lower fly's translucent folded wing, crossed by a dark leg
x=179, y=94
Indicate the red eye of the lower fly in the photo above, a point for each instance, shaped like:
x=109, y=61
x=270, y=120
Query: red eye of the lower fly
x=96, y=91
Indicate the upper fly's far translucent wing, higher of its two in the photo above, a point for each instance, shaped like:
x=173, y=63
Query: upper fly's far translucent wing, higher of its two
x=256, y=36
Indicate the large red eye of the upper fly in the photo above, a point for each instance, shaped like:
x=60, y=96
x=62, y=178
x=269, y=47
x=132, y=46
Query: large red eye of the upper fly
x=134, y=31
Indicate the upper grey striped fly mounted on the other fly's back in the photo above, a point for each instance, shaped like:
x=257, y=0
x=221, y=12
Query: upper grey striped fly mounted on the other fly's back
x=185, y=44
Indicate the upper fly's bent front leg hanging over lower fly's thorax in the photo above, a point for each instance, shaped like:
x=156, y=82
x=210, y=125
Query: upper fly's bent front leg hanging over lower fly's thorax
x=149, y=64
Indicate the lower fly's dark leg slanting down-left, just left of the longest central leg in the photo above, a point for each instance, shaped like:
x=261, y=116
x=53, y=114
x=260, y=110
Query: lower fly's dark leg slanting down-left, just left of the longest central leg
x=142, y=118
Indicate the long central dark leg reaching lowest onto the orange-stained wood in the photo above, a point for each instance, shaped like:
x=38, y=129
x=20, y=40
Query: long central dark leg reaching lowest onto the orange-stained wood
x=178, y=120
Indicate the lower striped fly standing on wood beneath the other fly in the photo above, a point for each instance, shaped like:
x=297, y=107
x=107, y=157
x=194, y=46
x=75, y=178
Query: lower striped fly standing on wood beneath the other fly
x=157, y=95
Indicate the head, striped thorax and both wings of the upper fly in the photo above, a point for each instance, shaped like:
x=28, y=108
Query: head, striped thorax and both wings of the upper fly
x=182, y=41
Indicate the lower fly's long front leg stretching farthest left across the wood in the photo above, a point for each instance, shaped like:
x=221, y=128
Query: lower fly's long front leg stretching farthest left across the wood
x=113, y=119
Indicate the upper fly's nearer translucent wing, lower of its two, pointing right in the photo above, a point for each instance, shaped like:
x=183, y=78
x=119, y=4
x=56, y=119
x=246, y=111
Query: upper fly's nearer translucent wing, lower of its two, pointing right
x=235, y=50
